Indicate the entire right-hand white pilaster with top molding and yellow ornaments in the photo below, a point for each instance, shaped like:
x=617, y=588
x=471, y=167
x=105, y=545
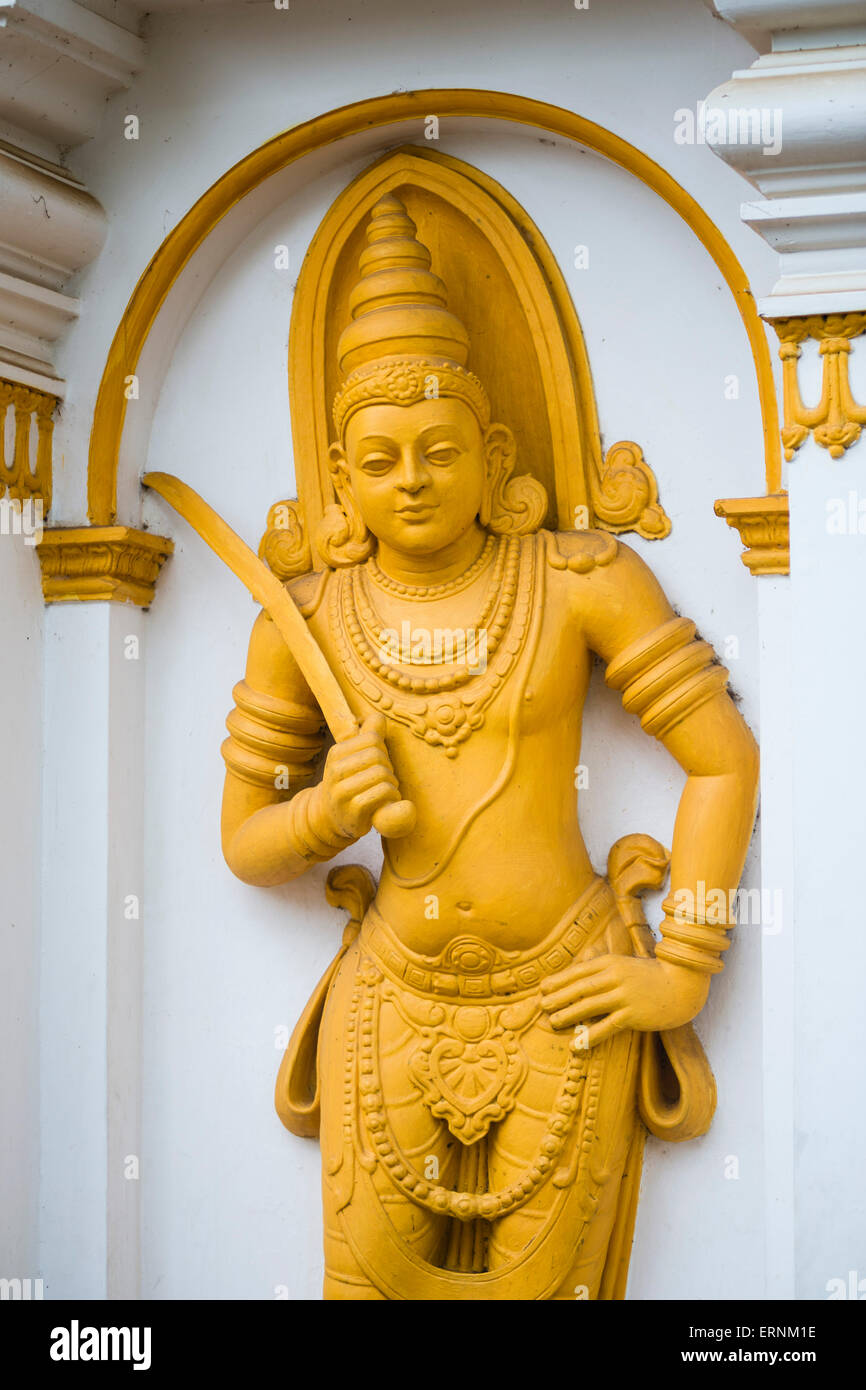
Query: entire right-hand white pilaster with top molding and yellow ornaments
x=806, y=102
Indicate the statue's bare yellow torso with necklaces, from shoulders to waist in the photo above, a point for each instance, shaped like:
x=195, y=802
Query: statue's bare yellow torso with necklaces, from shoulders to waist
x=497, y=851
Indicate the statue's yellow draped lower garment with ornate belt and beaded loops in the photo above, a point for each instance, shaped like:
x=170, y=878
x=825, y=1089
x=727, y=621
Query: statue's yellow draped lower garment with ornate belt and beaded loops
x=476, y=1153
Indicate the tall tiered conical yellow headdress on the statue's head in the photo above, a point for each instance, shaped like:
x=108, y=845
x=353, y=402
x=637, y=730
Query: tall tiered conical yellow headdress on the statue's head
x=402, y=344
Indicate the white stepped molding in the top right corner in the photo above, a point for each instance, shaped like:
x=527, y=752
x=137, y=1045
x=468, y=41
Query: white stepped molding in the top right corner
x=794, y=126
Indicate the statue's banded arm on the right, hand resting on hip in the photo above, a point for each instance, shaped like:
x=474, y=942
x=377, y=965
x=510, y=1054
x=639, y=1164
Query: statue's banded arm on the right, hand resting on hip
x=671, y=679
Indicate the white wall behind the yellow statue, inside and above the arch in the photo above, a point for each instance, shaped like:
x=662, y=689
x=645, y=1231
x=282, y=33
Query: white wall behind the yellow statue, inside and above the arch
x=230, y=1200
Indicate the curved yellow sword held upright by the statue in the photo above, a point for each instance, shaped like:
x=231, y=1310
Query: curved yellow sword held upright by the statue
x=393, y=821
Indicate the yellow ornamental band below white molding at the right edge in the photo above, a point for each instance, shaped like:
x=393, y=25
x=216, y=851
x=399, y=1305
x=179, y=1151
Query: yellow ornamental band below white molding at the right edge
x=836, y=422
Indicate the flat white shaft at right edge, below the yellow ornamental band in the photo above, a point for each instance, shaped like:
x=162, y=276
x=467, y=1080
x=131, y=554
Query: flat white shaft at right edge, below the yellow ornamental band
x=829, y=774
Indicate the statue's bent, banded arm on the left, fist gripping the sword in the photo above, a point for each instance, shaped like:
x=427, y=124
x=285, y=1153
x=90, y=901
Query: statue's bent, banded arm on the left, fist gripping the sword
x=277, y=818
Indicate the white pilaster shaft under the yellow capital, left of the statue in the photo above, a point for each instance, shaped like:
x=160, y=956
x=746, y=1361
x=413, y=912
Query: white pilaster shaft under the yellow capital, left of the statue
x=92, y=950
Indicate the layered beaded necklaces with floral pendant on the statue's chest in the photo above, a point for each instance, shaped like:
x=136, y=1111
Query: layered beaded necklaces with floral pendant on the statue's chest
x=440, y=698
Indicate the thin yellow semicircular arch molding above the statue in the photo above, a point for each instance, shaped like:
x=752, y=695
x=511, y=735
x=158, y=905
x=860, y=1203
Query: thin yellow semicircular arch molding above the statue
x=284, y=149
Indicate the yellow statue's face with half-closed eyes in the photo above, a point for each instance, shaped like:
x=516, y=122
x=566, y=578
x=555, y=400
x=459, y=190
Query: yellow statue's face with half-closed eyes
x=416, y=472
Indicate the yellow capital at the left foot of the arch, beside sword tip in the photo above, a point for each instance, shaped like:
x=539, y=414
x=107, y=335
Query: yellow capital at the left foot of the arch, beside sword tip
x=115, y=564
